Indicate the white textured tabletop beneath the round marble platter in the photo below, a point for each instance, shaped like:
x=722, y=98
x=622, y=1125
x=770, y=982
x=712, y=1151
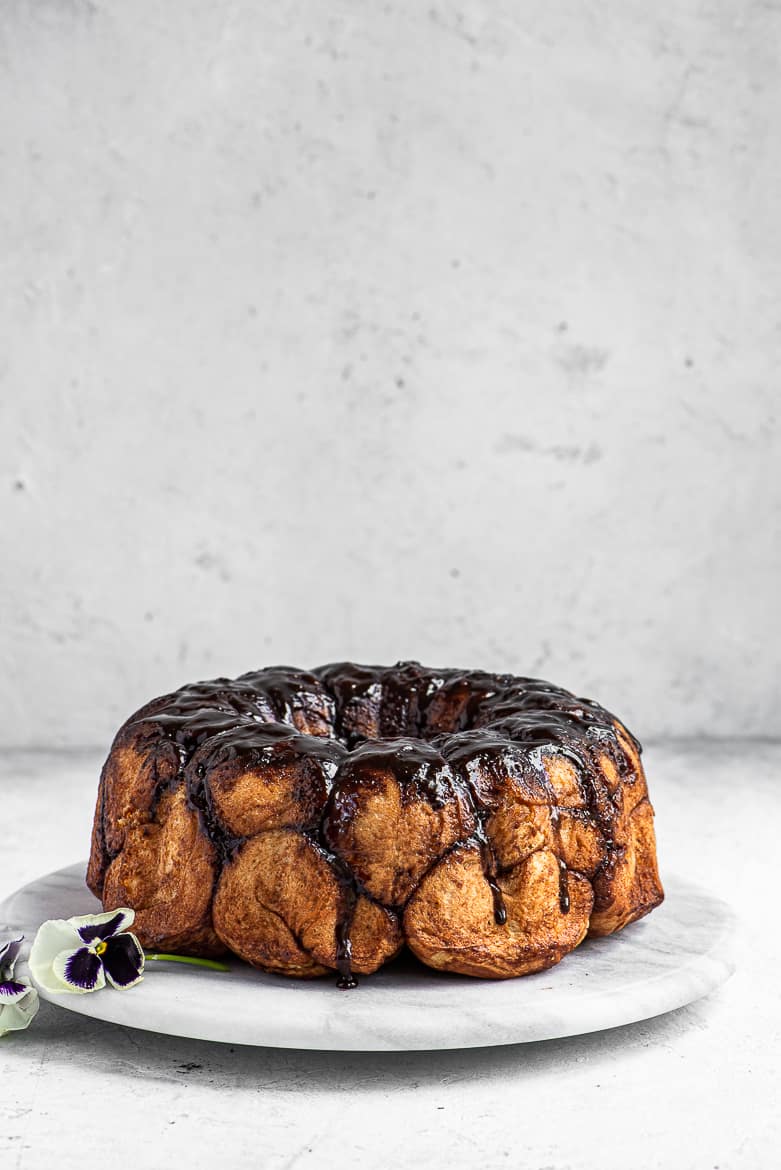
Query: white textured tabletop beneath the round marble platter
x=696, y=1089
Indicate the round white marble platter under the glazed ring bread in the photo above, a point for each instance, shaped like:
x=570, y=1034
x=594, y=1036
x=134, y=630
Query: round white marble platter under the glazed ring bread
x=671, y=959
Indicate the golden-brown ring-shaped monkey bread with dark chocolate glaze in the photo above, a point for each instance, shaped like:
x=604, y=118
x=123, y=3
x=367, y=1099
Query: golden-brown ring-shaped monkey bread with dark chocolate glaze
x=315, y=822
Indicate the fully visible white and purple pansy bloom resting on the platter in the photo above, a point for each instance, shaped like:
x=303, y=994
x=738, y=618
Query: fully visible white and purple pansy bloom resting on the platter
x=81, y=954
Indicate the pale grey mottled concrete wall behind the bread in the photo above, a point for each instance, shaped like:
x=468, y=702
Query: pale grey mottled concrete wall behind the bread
x=391, y=331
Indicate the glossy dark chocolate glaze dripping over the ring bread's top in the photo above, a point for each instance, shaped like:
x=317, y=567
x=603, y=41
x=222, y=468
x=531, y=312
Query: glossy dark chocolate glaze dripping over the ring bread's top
x=444, y=735
